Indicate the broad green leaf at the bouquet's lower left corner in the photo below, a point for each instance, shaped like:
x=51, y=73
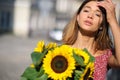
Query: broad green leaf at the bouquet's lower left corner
x=30, y=74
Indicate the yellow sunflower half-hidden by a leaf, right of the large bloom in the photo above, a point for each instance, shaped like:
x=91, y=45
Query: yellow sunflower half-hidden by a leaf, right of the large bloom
x=83, y=54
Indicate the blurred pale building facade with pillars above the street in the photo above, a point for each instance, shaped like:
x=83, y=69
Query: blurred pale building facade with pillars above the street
x=26, y=17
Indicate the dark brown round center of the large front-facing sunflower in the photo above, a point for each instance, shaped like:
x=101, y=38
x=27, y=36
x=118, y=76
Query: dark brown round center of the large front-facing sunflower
x=59, y=64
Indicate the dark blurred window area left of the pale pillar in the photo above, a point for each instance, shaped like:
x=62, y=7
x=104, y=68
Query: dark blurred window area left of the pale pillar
x=6, y=15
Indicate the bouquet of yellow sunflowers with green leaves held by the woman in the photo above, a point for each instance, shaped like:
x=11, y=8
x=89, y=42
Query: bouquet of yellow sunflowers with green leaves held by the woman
x=59, y=62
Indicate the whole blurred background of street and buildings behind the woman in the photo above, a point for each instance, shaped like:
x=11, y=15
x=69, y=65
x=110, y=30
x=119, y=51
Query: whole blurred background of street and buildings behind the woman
x=24, y=22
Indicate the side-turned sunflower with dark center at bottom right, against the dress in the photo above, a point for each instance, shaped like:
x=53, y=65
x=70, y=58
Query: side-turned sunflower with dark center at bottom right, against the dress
x=88, y=72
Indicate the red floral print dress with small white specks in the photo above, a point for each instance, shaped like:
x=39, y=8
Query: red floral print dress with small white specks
x=101, y=65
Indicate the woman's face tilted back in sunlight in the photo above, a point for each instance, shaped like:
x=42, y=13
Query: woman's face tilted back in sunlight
x=90, y=17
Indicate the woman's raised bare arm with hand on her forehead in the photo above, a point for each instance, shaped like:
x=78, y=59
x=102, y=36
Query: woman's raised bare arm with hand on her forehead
x=114, y=61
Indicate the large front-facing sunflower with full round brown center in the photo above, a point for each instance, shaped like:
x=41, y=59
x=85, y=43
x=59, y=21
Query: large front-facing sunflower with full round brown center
x=59, y=64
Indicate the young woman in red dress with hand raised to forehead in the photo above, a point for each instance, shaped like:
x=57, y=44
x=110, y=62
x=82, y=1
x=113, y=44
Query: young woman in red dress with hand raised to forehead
x=89, y=29
